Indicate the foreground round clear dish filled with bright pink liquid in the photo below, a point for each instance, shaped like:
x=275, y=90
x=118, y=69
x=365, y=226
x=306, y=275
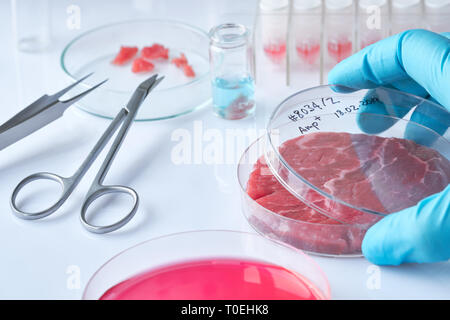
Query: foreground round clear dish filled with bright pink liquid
x=189, y=265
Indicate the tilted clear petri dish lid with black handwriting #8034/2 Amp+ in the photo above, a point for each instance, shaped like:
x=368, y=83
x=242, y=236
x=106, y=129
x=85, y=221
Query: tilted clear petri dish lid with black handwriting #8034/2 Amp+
x=358, y=155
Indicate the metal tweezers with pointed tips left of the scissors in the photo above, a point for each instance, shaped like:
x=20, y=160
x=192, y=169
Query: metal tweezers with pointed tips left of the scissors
x=40, y=113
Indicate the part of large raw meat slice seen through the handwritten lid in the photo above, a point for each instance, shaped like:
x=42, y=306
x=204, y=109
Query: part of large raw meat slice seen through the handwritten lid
x=384, y=175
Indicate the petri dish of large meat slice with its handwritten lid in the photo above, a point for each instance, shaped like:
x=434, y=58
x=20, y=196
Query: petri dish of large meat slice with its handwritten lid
x=336, y=160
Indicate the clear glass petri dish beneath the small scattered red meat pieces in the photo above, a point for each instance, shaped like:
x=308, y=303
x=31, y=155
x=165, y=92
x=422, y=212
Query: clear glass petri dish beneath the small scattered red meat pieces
x=177, y=95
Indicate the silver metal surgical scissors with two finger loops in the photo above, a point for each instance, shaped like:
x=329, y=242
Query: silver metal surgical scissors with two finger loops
x=125, y=118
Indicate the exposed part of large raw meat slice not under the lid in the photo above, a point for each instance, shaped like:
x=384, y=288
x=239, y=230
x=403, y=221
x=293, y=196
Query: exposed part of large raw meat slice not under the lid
x=320, y=234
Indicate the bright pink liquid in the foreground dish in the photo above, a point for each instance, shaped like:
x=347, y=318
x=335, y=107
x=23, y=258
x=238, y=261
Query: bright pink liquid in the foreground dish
x=215, y=279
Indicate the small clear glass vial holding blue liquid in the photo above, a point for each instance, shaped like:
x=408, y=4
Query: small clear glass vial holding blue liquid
x=232, y=75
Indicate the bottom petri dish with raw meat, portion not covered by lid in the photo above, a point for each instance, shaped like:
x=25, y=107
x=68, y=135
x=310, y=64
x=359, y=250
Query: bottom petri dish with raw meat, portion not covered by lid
x=278, y=215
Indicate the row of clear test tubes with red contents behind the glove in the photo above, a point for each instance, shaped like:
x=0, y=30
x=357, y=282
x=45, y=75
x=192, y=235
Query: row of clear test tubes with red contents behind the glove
x=300, y=41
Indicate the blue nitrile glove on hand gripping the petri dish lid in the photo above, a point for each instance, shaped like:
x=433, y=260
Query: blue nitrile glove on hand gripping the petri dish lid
x=417, y=62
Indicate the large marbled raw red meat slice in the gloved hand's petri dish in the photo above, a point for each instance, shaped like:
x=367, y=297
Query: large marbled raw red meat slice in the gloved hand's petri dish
x=381, y=174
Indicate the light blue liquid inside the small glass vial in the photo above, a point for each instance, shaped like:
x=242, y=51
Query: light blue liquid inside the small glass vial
x=233, y=98
